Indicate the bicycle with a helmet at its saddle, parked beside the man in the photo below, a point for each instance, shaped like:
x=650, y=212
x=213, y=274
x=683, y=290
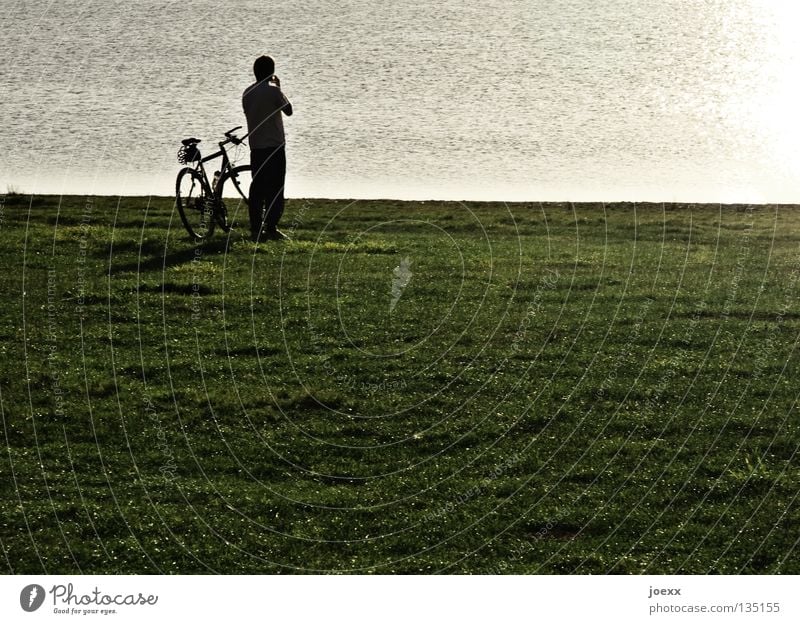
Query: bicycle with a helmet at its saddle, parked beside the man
x=200, y=202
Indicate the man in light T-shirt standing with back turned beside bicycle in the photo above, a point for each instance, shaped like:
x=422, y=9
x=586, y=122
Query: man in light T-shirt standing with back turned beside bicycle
x=263, y=103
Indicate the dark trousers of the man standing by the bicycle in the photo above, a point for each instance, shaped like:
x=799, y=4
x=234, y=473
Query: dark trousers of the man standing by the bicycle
x=266, y=188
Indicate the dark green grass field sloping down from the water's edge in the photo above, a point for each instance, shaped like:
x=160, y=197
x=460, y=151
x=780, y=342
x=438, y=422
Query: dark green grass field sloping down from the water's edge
x=404, y=387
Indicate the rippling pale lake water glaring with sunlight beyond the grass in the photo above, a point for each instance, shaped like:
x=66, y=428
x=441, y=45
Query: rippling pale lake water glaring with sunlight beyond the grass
x=638, y=100
